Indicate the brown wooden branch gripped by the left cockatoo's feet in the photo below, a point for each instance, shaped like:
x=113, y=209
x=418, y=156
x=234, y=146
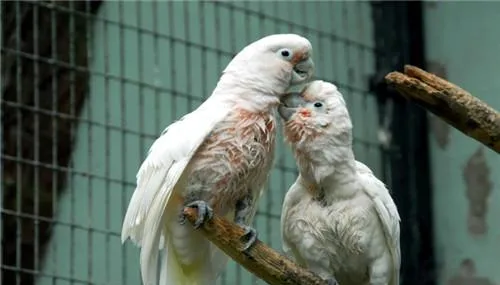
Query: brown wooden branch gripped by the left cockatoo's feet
x=261, y=260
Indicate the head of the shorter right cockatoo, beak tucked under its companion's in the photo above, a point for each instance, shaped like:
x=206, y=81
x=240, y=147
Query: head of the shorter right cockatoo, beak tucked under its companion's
x=316, y=119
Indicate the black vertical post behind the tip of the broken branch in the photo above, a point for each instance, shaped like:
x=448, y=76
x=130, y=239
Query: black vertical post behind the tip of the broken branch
x=417, y=146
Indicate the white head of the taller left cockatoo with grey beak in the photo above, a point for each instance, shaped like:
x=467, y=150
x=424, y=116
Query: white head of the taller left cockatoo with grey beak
x=273, y=64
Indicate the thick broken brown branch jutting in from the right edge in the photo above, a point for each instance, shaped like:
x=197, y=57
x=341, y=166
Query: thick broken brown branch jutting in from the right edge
x=449, y=102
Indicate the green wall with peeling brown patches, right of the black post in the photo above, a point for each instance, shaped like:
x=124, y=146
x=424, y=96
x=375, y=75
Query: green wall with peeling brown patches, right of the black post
x=463, y=43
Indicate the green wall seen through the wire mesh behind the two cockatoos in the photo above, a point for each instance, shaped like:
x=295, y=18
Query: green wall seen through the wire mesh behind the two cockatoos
x=147, y=74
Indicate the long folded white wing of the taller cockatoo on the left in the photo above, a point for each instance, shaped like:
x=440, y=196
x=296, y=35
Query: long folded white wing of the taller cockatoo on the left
x=157, y=178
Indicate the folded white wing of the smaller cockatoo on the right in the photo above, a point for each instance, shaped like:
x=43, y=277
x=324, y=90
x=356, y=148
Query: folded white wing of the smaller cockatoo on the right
x=387, y=212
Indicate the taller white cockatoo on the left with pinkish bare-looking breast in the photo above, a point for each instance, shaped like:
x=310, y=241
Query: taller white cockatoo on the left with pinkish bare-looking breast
x=215, y=159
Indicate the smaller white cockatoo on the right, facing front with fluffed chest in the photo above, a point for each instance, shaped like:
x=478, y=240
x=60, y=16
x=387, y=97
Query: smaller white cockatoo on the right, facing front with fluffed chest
x=338, y=219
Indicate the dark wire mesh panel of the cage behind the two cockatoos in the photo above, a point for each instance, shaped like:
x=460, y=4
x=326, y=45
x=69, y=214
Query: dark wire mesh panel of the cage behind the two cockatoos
x=144, y=65
